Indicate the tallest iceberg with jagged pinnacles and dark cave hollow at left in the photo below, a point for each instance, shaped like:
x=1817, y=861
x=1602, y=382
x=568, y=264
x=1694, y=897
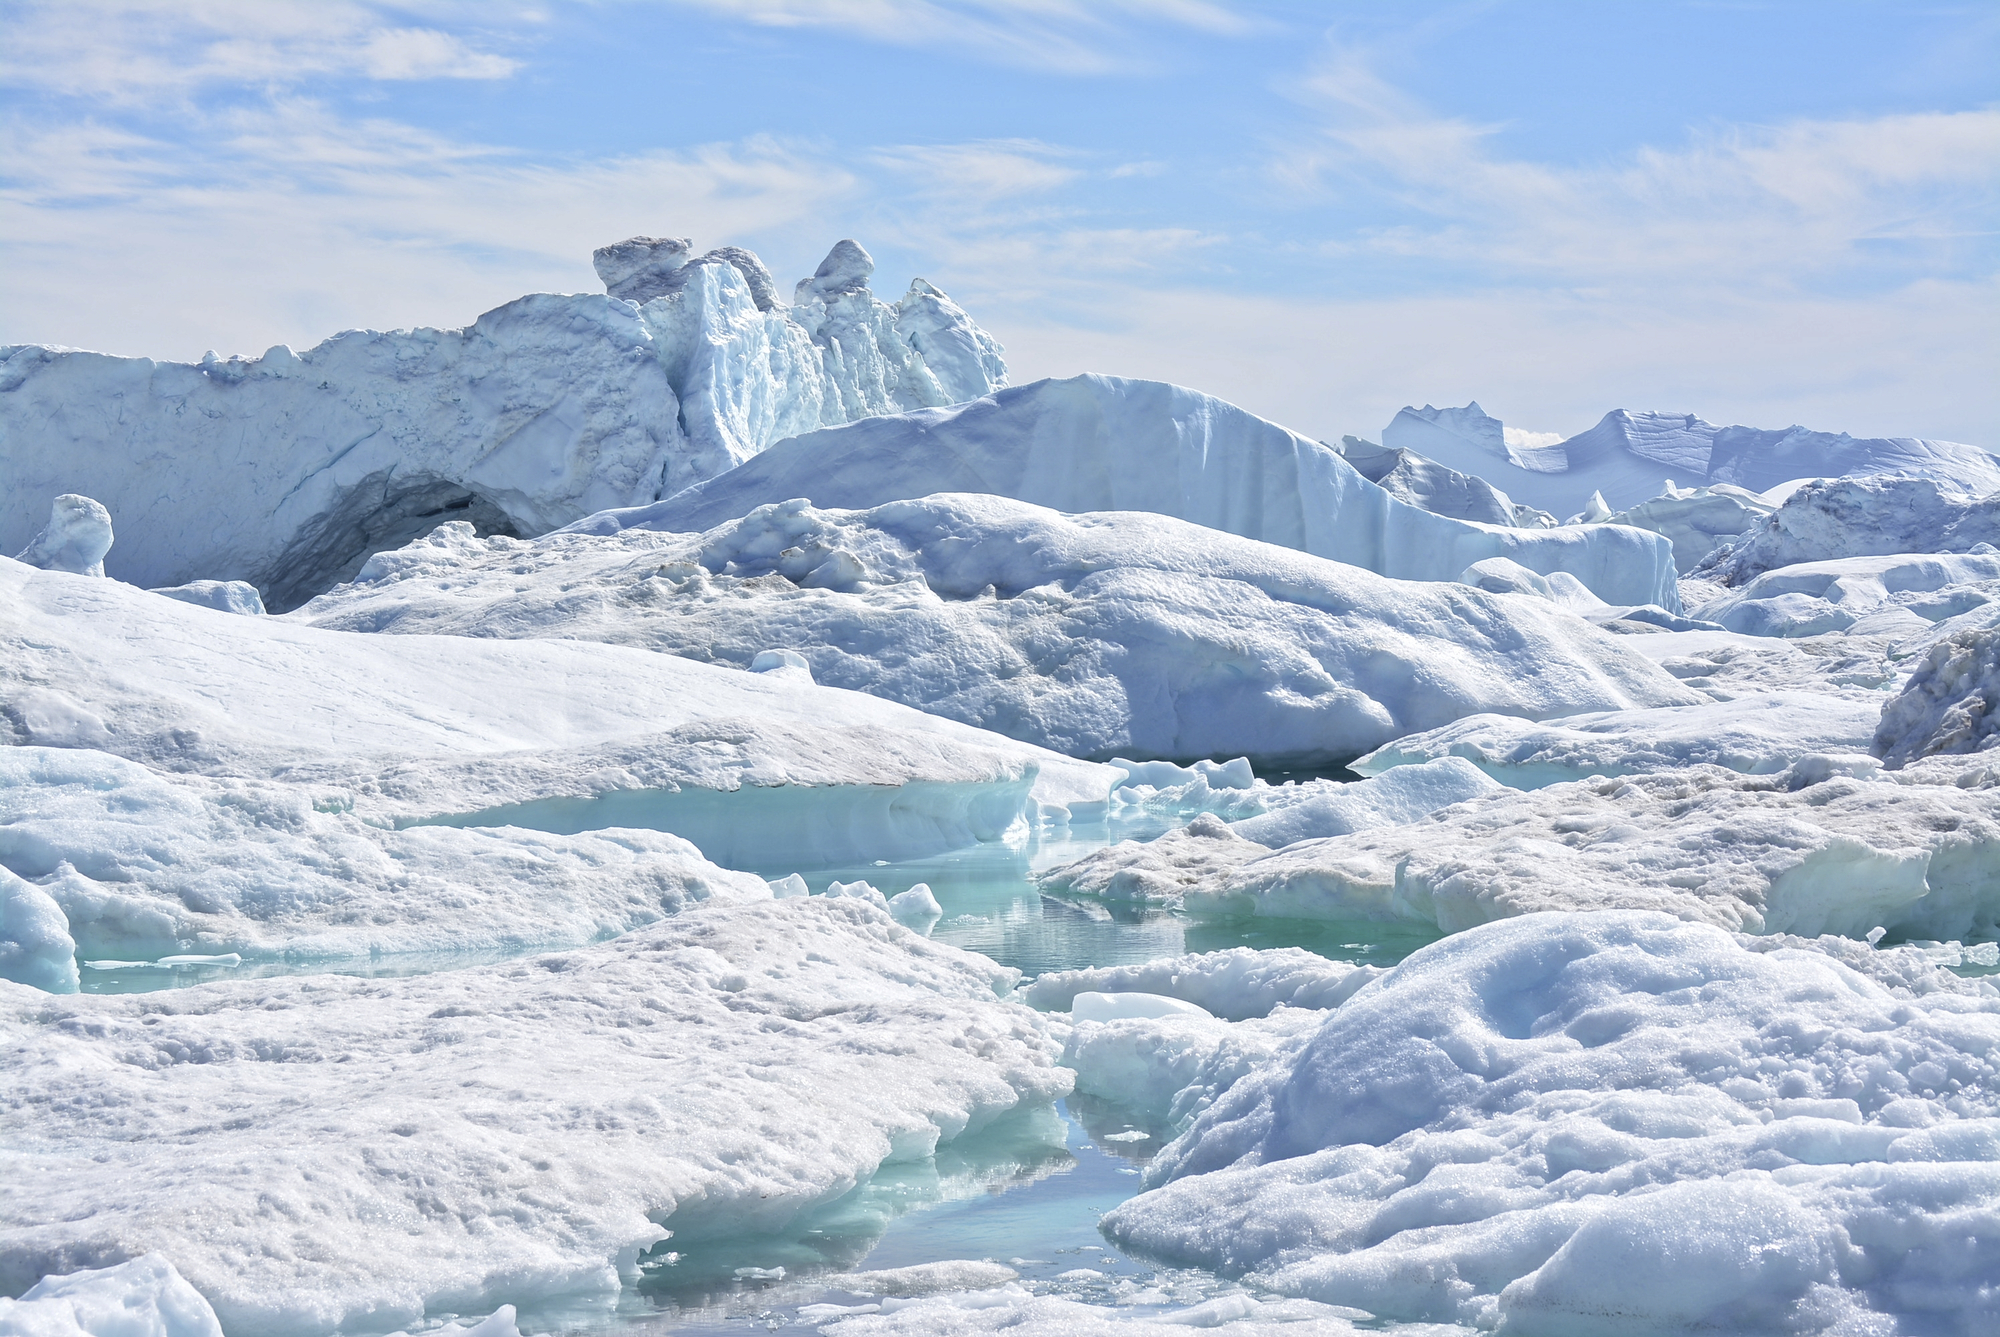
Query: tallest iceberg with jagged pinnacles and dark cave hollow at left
x=291, y=469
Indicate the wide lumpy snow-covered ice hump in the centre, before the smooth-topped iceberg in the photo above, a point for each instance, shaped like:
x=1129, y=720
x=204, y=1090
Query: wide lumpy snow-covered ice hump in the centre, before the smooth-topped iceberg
x=1097, y=635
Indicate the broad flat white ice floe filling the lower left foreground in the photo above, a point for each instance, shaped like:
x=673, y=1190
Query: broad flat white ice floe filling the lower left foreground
x=353, y=1154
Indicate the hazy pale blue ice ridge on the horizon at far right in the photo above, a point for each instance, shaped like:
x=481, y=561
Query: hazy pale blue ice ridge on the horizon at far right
x=1627, y=457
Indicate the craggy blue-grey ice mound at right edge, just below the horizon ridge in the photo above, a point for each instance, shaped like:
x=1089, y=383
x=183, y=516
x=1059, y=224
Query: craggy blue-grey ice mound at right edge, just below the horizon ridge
x=1863, y=517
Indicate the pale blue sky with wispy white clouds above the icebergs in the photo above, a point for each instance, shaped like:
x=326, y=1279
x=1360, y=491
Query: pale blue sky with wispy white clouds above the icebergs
x=1763, y=213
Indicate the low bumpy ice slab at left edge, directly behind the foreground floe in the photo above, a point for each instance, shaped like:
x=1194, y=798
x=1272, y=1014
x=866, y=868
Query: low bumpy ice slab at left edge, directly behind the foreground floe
x=141, y=866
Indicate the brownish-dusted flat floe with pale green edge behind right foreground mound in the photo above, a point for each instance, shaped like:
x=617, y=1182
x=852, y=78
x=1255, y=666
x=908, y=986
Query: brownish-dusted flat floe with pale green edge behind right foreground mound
x=1817, y=850
